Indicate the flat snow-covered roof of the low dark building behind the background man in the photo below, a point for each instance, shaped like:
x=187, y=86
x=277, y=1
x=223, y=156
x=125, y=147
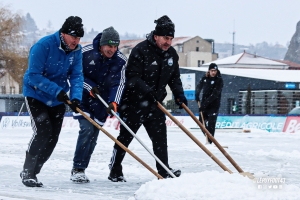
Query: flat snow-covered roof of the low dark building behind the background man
x=264, y=74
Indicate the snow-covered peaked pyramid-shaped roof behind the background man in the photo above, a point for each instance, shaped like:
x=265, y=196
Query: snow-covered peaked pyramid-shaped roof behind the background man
x=247, y=60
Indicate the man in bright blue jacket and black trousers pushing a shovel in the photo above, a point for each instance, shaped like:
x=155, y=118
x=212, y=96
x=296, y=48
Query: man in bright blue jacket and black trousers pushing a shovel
x=54, y=62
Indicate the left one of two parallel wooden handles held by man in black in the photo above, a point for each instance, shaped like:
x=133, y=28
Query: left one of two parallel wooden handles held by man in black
x=194, y=139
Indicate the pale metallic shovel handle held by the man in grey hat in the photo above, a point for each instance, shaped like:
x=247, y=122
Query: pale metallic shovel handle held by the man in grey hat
x=136, y=137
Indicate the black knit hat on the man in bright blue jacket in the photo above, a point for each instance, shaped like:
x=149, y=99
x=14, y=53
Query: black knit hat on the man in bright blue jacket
x=73, y=26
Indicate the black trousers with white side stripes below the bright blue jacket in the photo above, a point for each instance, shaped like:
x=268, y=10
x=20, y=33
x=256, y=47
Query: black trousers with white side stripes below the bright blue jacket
x=46, y=124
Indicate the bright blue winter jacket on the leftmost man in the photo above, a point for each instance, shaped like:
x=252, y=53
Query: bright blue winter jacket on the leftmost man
x=50, y=69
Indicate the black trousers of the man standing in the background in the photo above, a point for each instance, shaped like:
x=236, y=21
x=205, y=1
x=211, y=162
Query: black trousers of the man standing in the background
x=210, y=120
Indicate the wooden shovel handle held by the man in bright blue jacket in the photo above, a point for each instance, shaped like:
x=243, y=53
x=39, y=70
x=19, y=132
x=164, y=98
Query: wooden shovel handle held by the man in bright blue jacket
x=116, y=141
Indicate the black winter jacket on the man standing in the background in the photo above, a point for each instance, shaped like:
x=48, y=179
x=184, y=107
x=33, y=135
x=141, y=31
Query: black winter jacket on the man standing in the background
x=212, y=89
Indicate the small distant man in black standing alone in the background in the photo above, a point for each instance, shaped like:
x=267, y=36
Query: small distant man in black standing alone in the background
x=211, y=84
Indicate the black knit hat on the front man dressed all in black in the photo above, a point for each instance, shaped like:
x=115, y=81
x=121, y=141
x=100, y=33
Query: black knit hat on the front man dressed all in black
x=164, y=26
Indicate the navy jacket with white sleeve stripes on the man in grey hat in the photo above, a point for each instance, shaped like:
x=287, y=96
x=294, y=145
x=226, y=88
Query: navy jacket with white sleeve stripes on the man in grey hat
x=108, y=74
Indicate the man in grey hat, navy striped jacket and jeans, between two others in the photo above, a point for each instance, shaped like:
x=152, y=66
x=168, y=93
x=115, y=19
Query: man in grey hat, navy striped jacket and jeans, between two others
x=104, y=75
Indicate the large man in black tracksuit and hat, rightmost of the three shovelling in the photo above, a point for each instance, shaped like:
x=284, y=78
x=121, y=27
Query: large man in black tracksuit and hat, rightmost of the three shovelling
x=151, y=66
